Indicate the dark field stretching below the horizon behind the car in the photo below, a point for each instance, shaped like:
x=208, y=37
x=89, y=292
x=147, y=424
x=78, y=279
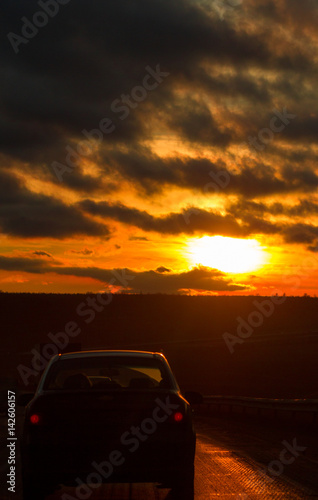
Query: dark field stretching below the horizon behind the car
x=276, y=358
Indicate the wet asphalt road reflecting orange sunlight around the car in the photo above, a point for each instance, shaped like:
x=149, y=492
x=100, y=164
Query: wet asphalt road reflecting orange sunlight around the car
x=233, y=461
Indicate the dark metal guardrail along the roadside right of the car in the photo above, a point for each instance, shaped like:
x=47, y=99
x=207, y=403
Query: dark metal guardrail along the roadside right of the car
x=297, y=410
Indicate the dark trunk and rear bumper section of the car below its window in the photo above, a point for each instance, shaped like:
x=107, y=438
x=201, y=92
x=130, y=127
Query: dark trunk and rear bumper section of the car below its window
x=78, y=428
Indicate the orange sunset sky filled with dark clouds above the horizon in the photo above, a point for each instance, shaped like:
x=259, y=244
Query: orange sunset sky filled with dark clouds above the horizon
x=163, y=146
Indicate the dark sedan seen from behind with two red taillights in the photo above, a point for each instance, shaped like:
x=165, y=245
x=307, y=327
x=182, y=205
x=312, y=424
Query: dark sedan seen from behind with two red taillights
x=107, y=416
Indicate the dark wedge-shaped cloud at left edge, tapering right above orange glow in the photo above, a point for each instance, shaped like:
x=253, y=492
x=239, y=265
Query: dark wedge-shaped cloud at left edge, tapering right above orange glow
x=27, y=214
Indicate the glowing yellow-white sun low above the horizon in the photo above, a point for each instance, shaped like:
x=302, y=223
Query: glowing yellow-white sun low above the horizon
x=230, y=255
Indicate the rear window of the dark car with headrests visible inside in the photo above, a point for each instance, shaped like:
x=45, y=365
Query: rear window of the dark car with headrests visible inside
x=107, y=373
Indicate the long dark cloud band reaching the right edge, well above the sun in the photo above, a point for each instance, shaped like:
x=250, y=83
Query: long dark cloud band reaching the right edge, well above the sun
x=253, y=179
